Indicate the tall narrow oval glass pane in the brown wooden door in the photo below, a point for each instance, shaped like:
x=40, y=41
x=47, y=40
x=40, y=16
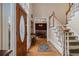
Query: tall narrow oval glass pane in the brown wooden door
x=22, y=28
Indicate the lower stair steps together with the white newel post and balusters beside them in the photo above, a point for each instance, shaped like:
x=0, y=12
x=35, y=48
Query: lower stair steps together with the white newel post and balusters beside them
x=72, y=43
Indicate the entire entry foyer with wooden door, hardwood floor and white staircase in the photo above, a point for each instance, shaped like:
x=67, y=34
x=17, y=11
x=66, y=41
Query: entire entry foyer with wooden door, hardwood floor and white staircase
x=39, y=29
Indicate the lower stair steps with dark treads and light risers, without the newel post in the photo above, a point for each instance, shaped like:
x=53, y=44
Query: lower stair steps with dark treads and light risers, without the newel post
x=73, y=45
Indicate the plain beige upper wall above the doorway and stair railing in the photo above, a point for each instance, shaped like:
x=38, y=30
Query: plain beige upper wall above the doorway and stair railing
x=46, y=9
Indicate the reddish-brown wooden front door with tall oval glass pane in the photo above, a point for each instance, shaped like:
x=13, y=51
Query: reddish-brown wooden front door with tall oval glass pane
x=21, y=43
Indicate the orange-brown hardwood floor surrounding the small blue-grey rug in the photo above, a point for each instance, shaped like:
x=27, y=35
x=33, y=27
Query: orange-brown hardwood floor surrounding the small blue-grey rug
x=33, y=51
